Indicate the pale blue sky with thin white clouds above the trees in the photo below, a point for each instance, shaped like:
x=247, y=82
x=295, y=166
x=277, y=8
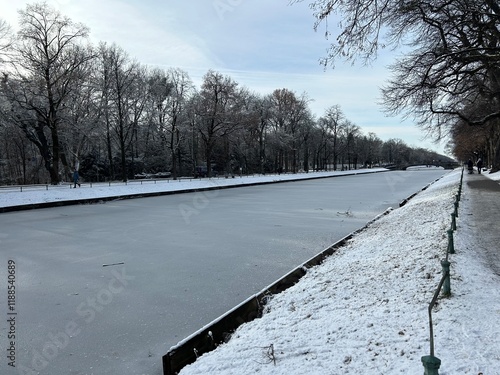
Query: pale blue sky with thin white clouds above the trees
x=262, y=44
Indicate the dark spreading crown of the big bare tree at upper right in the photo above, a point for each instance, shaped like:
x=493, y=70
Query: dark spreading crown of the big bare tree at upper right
x=455, y=66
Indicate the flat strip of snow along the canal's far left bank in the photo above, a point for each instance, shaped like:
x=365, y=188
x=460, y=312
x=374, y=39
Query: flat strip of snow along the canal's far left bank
x=12, y=196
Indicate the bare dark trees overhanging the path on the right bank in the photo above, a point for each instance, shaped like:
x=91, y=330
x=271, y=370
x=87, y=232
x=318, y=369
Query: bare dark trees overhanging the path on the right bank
x=448, y=78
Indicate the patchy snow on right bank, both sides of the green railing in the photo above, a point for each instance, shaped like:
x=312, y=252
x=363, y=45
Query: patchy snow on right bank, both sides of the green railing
x=365, y=309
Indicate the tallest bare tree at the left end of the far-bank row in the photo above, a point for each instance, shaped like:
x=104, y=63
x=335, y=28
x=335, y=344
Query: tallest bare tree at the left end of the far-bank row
x=47, y=65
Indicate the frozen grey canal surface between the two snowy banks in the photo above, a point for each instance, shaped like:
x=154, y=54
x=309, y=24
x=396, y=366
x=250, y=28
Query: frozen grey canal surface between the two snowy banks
x=109, y=288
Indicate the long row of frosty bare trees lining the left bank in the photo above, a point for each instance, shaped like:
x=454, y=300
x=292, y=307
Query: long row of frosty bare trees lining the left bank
x=66, y=104
